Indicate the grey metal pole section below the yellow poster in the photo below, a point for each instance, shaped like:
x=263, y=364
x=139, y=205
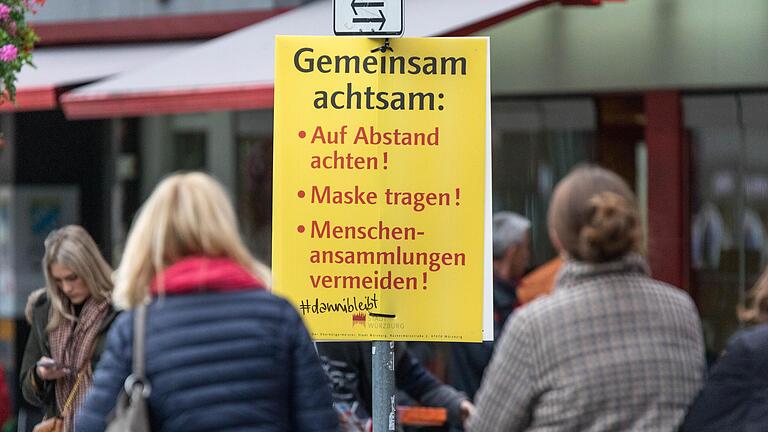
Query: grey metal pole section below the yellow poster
x=384, y=404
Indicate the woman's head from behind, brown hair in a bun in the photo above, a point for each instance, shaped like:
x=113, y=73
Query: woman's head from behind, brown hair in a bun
x=595, y=217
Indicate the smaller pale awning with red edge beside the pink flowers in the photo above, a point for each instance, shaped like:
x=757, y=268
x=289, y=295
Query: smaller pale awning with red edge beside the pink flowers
x=61, y=68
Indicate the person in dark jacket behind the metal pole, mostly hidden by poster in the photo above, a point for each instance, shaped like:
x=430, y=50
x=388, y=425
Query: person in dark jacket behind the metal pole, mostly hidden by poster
x=349, y=367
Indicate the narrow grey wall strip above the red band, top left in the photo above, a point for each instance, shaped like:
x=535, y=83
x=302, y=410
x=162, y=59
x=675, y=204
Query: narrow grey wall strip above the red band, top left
x=84, y=10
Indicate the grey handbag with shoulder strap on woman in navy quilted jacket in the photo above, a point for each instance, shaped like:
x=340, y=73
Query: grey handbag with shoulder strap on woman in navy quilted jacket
x=131, y=413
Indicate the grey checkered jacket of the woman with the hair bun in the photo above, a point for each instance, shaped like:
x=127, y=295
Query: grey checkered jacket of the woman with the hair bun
x=610, y=350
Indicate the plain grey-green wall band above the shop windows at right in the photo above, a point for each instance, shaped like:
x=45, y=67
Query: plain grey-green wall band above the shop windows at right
x=632, y=45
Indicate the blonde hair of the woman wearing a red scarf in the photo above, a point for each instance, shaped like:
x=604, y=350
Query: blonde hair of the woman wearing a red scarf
x=187, y=214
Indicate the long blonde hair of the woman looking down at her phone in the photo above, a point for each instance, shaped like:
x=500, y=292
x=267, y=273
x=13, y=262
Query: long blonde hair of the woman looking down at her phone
x=72, y=247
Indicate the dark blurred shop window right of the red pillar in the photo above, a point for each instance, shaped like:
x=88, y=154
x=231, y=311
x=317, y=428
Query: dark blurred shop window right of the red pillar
x=729, y=205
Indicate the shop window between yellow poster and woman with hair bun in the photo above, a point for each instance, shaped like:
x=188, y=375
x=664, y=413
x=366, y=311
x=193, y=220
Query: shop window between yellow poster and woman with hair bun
x=535, y=144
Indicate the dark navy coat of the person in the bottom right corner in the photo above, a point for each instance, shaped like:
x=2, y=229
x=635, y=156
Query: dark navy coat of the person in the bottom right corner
x=735, y=395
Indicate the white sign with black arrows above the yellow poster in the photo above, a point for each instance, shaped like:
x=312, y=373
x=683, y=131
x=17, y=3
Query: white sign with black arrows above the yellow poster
x=382, y=18
